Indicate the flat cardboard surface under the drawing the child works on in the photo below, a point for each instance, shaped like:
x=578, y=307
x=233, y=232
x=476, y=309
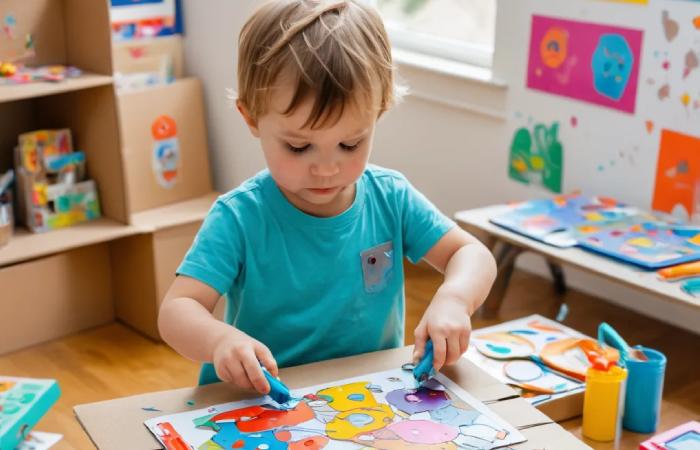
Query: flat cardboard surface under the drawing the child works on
x=118, y=424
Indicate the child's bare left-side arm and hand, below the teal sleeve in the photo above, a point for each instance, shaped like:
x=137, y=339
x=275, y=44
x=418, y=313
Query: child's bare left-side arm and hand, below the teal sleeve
x=186, y=323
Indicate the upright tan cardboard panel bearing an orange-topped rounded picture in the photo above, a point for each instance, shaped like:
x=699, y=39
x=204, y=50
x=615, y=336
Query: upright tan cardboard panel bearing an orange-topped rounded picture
x=164, y=145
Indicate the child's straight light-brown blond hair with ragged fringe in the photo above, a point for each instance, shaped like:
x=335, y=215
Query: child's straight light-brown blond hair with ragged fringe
x=337, y=52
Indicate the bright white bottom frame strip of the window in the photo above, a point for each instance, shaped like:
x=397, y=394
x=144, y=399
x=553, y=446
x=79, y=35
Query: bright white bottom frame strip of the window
x=436, y=46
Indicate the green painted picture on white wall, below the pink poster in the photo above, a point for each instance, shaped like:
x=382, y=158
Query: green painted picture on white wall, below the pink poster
x=537, y=157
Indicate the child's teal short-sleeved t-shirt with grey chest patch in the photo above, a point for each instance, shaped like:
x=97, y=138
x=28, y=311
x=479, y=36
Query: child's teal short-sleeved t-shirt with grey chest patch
x=314, y=288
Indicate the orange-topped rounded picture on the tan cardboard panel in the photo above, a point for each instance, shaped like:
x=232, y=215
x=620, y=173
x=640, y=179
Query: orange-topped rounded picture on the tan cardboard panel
x=166, y=151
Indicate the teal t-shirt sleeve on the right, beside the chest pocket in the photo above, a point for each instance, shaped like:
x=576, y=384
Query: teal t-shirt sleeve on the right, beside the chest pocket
x=422, y=223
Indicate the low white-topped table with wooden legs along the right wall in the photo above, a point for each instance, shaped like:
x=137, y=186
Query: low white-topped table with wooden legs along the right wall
x=507, y=245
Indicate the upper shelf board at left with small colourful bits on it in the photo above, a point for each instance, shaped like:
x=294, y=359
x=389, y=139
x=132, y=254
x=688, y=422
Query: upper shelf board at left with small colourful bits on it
x=10, y=93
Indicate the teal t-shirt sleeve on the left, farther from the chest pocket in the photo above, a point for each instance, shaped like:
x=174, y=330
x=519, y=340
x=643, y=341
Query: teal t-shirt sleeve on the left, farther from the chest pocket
x=216, y=255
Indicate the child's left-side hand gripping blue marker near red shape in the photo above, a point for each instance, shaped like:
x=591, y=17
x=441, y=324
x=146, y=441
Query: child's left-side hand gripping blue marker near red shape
x=236, y=357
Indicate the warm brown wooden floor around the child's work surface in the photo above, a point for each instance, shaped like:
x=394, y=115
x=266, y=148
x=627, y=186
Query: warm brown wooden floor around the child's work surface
x=113, y=361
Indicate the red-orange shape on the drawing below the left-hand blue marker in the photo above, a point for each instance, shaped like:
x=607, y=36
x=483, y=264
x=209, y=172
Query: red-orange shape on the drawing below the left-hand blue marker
x=258, y=418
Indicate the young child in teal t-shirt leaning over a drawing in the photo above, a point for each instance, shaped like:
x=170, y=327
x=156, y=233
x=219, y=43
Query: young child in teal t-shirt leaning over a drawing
x=309, y=253
